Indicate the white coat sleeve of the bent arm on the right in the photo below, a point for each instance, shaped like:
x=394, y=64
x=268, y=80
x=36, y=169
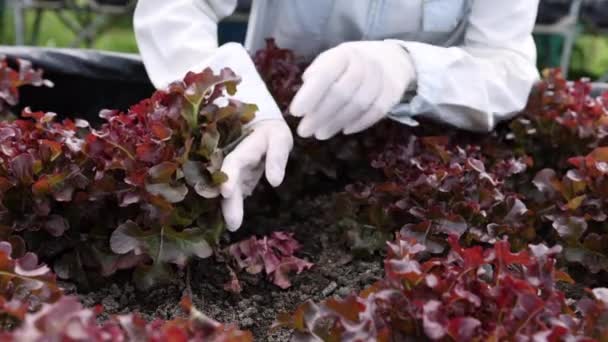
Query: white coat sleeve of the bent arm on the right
x=484, y=81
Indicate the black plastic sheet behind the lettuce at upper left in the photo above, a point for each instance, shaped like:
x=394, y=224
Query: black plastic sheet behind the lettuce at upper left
x=86, y=81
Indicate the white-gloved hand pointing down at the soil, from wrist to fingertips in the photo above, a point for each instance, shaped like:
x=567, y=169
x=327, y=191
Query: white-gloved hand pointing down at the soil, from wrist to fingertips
x=266, y=148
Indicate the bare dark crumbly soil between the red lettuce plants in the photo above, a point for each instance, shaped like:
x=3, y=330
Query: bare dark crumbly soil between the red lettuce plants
x=336, y=273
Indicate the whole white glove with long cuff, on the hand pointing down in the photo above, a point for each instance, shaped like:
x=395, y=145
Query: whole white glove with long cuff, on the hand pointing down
x=268, y=145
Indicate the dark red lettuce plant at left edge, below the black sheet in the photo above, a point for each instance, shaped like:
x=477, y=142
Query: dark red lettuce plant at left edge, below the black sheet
x=40, y=167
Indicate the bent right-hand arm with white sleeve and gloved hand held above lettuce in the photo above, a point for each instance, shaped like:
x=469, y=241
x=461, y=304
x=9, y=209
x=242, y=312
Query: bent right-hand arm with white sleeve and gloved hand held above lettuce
x=487, y=79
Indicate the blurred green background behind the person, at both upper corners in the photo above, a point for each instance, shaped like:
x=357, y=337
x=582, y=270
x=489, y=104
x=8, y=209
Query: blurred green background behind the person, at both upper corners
x=572, y=34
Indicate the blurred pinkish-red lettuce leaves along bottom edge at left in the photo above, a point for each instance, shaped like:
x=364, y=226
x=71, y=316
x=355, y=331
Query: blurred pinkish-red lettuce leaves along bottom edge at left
x=67, y=320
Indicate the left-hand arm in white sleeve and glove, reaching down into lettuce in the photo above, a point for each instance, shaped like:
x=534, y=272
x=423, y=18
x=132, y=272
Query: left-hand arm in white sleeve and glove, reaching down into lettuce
x=177, y=36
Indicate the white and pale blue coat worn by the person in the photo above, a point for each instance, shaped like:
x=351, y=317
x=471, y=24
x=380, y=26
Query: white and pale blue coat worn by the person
x=475, y=59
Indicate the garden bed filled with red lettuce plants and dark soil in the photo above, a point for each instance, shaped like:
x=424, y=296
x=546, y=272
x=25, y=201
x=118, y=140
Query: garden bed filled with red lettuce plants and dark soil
x=395, y=234
